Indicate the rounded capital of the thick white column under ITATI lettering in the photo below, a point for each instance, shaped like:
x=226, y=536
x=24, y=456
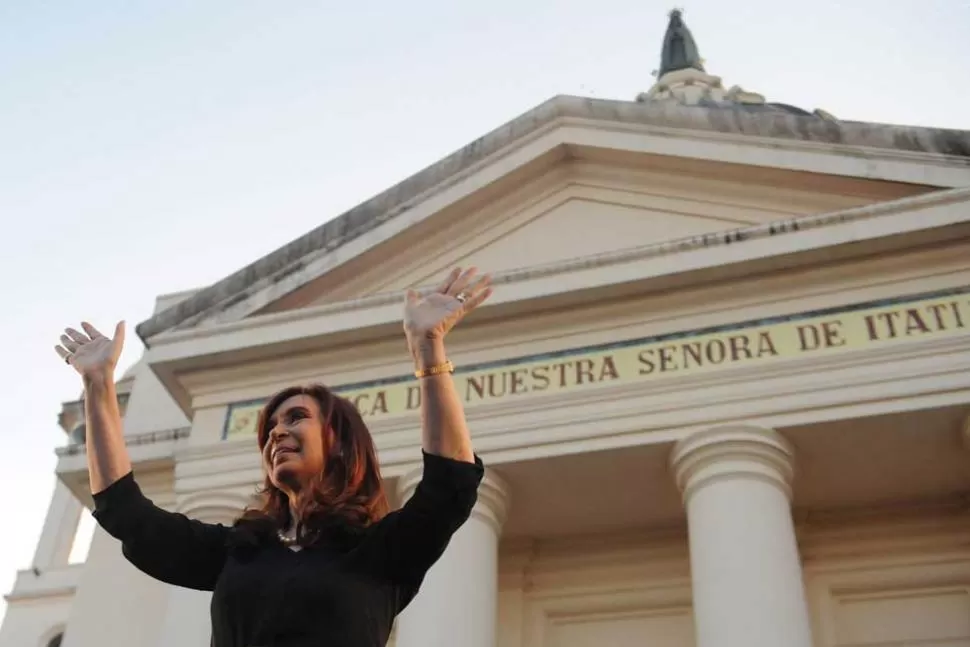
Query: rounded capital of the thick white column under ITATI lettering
x=733, y=451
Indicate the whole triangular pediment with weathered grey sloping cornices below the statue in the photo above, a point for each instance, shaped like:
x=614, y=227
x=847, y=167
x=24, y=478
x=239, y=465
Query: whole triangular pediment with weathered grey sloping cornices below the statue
x=570, y=179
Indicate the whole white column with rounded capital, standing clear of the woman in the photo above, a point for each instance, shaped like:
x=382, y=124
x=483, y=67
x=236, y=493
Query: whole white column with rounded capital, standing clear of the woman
x=745, y=568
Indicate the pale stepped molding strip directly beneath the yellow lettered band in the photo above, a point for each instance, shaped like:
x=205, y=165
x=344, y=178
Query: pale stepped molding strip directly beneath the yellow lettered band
x=864, y=383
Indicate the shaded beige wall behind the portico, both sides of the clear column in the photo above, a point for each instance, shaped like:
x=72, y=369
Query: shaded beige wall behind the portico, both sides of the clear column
x=870, y=583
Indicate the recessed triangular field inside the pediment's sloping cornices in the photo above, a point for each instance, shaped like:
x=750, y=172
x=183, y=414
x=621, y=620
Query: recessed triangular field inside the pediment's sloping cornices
x=580, y=209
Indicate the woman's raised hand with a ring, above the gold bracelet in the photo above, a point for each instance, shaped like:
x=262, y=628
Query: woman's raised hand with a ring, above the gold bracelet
x=429, y=316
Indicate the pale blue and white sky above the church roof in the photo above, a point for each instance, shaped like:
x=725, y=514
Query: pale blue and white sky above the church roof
x=150, y=147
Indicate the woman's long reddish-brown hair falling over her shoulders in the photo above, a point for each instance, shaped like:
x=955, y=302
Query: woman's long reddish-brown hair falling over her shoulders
x=349, y=493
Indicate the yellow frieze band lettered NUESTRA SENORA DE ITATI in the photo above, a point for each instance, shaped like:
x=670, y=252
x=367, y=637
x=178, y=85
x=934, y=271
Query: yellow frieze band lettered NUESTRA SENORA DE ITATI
x=660, y=358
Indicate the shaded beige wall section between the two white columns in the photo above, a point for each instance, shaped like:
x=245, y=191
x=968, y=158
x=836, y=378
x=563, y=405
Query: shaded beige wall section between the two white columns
x=623, y=590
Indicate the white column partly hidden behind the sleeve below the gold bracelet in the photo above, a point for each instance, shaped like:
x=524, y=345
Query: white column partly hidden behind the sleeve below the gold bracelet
x=457, y=601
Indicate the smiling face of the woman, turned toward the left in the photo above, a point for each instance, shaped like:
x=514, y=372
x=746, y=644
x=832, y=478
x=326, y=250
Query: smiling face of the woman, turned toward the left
x=294, y=450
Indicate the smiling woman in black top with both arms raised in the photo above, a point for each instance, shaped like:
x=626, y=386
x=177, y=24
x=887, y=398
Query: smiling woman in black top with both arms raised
x=319, y=561
